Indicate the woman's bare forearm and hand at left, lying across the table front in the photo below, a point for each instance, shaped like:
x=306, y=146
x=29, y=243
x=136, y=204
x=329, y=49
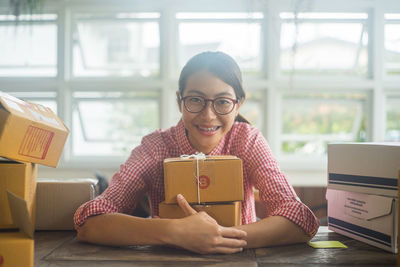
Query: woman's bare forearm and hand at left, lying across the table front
x=198, y=232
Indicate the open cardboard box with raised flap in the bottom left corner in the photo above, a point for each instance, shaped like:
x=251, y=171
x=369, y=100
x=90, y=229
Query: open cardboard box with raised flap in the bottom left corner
x=17, y=248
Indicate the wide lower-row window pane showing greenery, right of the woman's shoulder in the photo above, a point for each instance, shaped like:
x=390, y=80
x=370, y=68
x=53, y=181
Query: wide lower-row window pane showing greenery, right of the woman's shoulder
x=311, y=121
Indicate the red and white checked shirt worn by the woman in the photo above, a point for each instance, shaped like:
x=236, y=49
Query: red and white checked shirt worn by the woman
x=143, y=173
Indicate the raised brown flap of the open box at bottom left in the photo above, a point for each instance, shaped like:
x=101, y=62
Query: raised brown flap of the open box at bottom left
x=20, y=214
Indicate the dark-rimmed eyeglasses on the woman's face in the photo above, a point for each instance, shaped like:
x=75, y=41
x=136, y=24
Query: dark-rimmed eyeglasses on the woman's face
x=221, y=105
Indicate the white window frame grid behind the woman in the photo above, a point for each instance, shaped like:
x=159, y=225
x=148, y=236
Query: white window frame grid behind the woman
x=377, y=85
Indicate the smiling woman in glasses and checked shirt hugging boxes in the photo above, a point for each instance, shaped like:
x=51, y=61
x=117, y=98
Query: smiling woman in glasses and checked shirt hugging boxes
x=210, y=96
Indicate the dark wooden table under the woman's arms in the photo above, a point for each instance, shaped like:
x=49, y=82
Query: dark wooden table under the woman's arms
x=61, y=248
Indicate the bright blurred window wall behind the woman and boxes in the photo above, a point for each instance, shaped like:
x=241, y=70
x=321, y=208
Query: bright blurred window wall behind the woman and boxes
x=315, y=72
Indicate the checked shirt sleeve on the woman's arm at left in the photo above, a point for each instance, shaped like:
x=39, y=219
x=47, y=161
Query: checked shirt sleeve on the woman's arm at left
x=126, y=186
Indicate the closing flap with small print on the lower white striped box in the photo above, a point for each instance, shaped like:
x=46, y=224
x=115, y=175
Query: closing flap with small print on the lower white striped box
x=367, y=207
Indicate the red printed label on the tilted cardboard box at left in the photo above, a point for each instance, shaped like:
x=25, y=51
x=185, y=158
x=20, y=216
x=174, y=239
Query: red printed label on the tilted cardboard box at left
x=36, y=143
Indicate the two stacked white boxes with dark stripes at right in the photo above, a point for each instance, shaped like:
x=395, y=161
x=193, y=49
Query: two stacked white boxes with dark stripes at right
x=363, y=190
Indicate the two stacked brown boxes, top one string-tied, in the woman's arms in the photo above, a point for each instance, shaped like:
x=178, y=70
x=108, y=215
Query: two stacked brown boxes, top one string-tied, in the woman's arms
x=213, y=184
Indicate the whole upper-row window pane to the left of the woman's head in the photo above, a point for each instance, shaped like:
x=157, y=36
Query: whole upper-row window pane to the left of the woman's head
x=120, y=44
